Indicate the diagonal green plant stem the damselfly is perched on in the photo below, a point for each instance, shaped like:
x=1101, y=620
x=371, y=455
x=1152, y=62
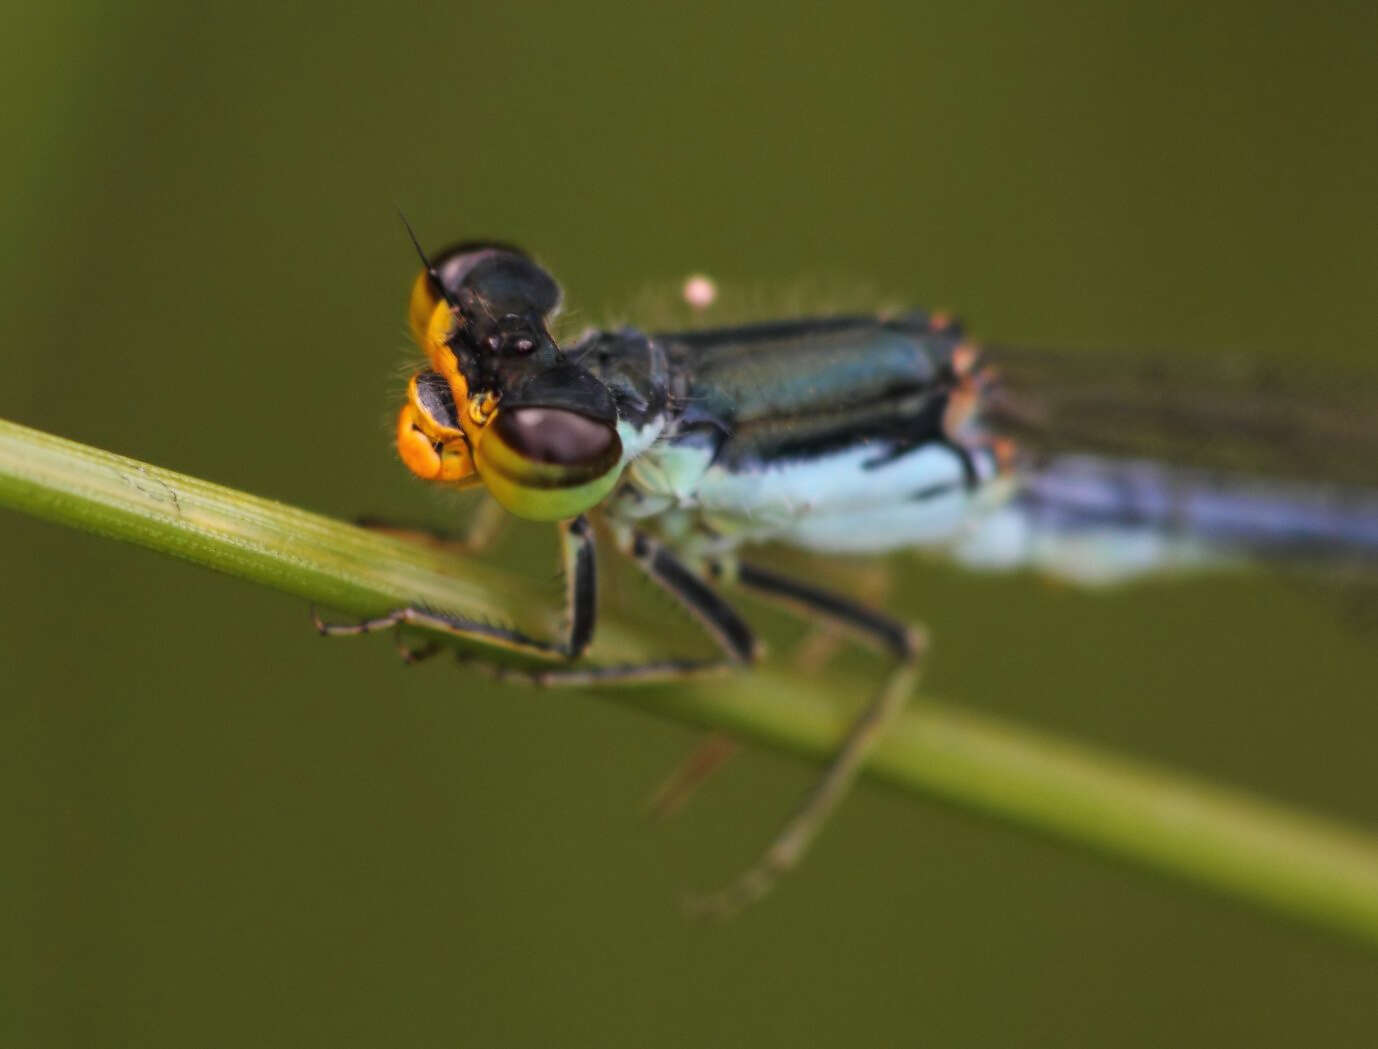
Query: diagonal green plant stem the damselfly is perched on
x=1292, y=862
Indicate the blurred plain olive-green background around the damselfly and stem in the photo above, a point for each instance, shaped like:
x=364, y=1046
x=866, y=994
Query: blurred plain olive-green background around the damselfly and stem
x=224, y=831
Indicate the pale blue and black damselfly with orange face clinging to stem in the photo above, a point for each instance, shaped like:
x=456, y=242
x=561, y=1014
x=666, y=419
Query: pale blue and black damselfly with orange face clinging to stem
x=843, y=435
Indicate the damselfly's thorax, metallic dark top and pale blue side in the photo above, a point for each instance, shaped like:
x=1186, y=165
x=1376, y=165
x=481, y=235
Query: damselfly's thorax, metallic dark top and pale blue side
x=832, y=435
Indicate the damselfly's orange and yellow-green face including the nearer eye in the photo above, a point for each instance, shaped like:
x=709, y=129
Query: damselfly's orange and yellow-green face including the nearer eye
x=542, y=462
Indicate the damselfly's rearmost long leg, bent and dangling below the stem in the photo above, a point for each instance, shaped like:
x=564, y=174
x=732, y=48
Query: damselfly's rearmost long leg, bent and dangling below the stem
x=906, y=643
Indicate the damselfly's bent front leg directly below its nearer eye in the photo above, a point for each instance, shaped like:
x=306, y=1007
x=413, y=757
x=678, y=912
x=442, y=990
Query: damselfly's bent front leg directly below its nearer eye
x=581, y=570
